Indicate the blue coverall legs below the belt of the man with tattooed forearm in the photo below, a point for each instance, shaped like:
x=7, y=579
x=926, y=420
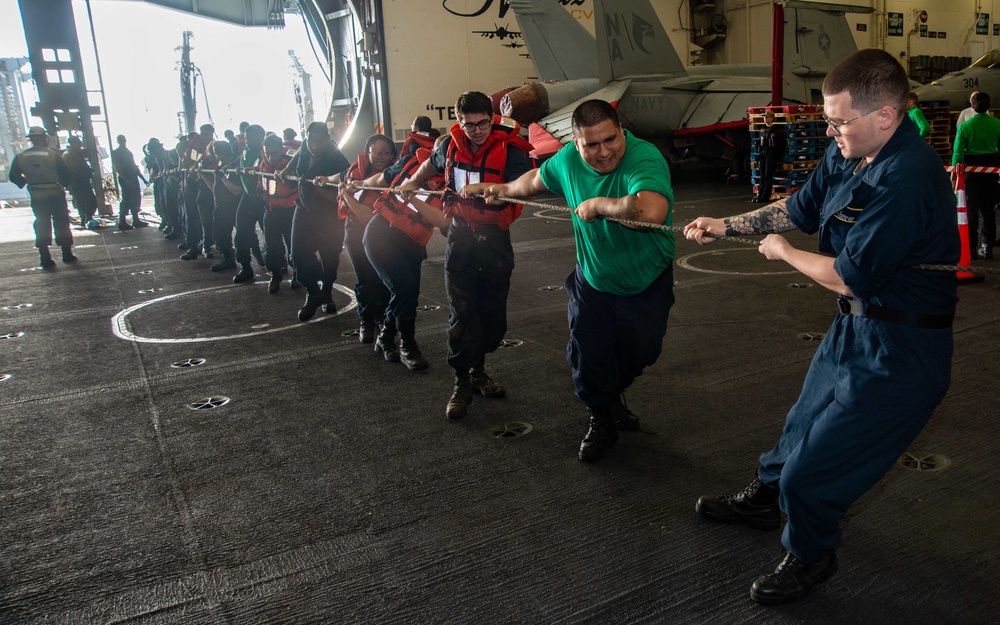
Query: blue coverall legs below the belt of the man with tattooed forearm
x=869, y=391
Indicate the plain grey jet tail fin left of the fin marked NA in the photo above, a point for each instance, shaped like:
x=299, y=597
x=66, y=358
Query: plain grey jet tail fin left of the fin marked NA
x=560, y=47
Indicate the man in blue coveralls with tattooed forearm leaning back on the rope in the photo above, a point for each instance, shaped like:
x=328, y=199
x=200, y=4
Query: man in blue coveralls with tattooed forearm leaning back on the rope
x=881, y=204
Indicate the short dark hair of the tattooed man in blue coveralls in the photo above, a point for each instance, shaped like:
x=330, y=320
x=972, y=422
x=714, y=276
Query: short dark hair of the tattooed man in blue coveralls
x=873, y=78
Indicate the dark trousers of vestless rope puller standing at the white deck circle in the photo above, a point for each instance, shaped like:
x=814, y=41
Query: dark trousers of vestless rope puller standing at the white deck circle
x=318, y=231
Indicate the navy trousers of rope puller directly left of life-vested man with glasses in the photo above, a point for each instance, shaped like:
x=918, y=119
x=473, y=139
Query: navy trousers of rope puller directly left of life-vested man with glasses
x=397, y=259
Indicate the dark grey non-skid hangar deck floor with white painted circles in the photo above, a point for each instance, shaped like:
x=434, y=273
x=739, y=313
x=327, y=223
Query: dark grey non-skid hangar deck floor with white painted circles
x=332, y=489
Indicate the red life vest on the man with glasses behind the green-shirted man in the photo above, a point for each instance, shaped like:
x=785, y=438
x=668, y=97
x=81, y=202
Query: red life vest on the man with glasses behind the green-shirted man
x=487, y=164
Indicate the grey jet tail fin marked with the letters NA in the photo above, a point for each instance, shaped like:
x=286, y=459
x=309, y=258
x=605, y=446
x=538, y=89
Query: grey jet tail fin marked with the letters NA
x=631, y=41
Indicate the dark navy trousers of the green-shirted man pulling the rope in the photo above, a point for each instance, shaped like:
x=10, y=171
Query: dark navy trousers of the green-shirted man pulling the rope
x=612, y=338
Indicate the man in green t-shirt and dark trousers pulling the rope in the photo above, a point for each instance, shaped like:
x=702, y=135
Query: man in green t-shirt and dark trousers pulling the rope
x=621, y=290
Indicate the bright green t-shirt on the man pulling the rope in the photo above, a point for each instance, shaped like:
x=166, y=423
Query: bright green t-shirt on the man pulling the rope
x=613, y=258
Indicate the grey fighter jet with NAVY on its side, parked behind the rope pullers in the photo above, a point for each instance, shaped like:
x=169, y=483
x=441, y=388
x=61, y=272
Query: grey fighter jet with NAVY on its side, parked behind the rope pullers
x=698, y=110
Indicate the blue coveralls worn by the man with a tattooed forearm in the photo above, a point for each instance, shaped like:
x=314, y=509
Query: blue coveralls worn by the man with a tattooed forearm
x=876, y=379
